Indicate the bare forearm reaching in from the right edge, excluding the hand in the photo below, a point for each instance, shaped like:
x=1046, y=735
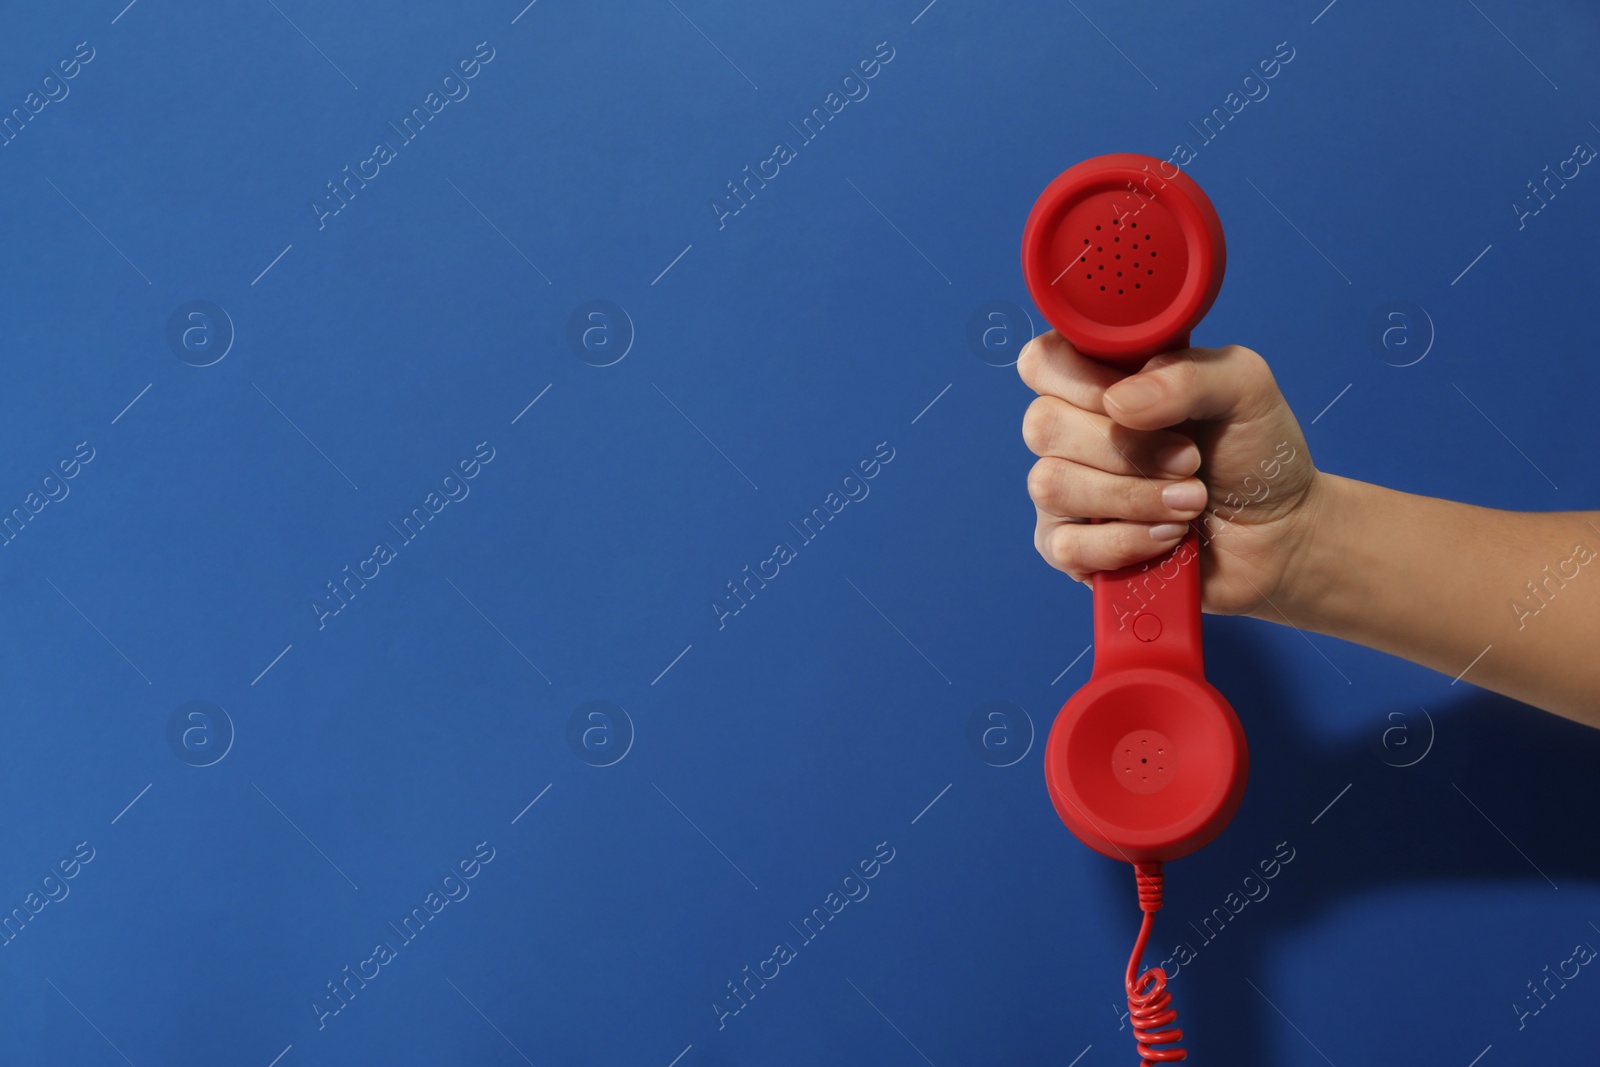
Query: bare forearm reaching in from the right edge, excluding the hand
x=1506, y=601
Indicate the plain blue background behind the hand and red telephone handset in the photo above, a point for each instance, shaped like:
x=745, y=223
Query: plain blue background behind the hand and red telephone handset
x=762, y=761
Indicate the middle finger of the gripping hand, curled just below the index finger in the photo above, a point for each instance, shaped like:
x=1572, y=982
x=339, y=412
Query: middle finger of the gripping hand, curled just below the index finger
x=1055, y=428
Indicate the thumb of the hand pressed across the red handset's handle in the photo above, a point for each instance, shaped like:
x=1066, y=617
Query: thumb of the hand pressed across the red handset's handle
x=1231, y=383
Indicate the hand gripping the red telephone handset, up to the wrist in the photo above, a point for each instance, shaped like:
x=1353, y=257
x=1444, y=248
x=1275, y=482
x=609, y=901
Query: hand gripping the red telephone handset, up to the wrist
x=1244, y=478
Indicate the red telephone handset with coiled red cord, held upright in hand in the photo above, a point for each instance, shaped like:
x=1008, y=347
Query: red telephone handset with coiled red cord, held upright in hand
x=1146, y=762
